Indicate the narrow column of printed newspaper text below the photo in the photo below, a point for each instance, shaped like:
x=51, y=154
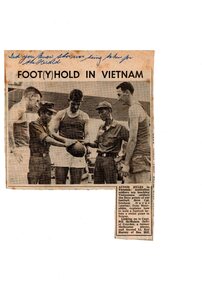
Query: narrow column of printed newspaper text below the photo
x=134, y=206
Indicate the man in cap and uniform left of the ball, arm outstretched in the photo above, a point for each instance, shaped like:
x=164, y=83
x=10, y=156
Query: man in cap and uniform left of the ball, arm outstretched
x=39, y=144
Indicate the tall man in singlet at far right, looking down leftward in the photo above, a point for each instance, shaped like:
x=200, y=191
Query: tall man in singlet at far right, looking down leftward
x=137, y=165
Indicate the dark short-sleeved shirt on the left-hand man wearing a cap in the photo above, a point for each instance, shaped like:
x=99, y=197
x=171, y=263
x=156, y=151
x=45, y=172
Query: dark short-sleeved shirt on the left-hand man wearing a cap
x=38, y=132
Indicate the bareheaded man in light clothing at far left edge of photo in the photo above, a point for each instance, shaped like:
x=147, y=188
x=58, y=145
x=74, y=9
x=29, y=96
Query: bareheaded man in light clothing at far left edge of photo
x=19, y=117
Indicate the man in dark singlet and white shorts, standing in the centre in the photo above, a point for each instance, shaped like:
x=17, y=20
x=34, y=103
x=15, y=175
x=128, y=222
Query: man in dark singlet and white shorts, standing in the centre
x=71, y=123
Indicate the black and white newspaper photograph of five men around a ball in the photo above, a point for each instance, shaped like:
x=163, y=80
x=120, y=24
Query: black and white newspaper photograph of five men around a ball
x=79, y=132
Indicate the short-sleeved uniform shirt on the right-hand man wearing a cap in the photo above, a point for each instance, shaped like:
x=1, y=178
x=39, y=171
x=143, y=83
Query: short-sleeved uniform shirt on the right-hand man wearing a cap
x=109, y=138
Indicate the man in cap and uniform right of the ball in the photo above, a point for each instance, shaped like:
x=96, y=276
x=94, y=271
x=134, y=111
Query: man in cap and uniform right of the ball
x=109, y=140
